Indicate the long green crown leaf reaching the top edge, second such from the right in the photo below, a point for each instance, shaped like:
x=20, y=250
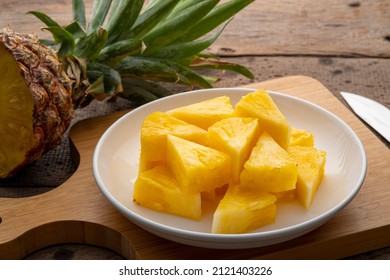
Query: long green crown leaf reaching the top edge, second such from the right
x=172, y=29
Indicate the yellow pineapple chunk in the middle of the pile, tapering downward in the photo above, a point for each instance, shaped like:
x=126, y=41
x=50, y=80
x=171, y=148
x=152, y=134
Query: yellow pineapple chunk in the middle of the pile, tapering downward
x=235, y=136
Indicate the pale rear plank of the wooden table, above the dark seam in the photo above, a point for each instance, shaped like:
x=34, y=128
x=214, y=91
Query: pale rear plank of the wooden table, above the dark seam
x=266, y=28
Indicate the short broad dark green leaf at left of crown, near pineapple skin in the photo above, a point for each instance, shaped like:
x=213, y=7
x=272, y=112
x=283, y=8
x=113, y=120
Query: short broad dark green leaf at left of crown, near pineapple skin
x=91, y=46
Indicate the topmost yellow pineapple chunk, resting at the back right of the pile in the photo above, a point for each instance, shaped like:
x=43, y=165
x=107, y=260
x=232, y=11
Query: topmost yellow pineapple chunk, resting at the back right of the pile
x=260, y=105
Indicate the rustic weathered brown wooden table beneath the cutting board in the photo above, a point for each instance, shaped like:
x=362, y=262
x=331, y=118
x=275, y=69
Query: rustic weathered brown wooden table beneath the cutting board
x=343, y=44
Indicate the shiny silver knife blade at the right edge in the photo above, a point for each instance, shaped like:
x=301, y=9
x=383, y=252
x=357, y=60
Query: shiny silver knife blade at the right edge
x=372, y=112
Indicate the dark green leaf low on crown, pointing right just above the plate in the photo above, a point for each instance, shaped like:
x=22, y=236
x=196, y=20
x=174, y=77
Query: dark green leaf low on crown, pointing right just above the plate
x=159, y=70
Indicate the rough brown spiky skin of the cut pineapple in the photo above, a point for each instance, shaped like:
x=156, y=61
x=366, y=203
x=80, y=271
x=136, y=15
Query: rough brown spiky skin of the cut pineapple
x=50, y=87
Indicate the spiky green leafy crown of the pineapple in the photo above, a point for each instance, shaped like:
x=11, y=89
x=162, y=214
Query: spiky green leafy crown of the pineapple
x=129, y=45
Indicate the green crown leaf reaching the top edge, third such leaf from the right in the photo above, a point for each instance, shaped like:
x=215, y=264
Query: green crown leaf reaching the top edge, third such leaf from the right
x=150, y=18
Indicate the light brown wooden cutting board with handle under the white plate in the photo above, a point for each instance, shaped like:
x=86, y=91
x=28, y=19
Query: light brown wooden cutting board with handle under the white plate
x=77, y=212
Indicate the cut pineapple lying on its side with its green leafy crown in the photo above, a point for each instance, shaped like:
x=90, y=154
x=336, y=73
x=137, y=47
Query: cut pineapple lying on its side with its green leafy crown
x=126, y=47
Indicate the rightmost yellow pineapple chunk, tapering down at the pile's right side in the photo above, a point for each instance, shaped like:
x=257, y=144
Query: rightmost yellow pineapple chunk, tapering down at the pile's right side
x=311, y=167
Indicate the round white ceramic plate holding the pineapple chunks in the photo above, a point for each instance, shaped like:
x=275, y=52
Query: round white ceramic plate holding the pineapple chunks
x=115, y=166
